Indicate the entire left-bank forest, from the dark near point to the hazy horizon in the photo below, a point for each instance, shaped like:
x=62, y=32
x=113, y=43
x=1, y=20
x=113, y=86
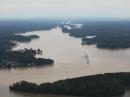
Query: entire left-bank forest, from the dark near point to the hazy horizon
x=9, y=36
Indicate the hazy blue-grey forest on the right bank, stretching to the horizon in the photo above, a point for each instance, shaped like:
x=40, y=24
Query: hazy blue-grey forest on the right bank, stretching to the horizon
x=108, y=34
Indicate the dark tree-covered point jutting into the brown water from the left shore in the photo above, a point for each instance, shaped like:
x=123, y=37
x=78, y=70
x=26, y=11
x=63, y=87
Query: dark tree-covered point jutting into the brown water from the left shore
x=22, y=58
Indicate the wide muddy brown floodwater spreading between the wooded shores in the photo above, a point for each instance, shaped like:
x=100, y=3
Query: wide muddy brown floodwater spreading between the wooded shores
x=71, y=60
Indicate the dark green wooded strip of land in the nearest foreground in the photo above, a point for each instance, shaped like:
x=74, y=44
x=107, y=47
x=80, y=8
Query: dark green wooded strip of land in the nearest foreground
x=100, y=85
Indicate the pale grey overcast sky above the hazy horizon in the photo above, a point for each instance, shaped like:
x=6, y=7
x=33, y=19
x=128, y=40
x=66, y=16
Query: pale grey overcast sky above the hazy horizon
x=64, y=8
